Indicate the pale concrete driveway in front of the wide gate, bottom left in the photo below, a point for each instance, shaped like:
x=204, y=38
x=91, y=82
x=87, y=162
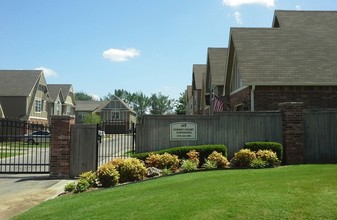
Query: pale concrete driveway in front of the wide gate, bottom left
x=20, y=192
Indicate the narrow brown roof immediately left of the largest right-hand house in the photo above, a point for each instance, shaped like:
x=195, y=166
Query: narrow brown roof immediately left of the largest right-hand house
x=217, y=58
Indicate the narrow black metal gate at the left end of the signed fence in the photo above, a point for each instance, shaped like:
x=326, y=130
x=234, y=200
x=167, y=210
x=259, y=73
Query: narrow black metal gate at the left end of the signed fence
x=116, y=139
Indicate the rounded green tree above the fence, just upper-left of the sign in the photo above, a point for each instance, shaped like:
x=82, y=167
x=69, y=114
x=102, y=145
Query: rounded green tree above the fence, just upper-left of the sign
x=160, y=104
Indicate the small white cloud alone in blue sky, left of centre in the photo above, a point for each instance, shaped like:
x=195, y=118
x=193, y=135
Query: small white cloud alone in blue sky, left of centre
x=117, y=55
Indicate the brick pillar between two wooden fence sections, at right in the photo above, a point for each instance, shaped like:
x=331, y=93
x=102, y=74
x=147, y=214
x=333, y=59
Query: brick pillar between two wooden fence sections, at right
x=293, y=132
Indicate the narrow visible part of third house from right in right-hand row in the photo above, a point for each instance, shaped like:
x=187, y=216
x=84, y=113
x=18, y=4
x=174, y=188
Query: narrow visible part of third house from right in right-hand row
x=198, y=88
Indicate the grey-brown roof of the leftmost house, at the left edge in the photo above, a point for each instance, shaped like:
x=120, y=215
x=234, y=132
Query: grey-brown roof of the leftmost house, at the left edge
x=18, y=82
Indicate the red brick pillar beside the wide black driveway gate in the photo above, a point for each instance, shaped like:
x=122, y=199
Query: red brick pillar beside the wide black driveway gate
x=60, y=146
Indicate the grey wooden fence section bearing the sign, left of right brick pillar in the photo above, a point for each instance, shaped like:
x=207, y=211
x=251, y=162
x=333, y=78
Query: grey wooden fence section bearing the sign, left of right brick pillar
x=230, y=128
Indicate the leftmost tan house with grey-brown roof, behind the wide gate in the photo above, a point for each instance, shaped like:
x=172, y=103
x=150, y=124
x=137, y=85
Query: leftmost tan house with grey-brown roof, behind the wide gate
x=24, y=95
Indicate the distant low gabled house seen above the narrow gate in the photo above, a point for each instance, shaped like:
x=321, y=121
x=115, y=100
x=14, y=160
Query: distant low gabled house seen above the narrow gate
x=110, y=111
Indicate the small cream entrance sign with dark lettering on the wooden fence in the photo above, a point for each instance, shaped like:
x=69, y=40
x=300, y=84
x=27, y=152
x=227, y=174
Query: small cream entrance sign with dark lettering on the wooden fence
x=183, y=131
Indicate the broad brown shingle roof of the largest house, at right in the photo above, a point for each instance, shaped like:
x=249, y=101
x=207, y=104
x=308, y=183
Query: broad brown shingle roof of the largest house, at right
x=303, y=55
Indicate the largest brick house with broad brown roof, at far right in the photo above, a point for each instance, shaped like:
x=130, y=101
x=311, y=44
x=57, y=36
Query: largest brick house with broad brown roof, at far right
x=293, y=61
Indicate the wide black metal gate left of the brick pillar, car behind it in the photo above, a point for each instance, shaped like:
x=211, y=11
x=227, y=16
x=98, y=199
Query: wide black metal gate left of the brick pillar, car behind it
x=24, y=147
